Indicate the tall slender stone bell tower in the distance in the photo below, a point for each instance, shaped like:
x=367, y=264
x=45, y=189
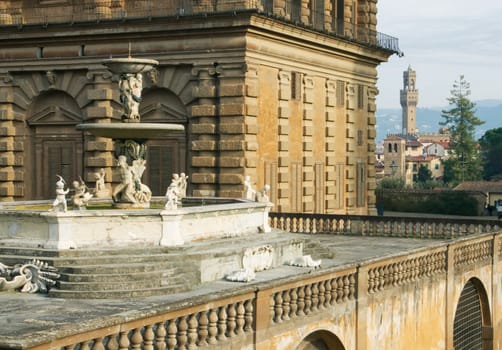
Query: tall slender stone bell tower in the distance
x=409, y=100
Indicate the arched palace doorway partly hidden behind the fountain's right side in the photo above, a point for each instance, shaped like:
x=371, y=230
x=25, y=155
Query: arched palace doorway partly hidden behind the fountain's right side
x=168, y=154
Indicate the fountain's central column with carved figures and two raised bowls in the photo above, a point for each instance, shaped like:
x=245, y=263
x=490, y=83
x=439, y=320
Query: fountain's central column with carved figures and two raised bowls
x=130, y=135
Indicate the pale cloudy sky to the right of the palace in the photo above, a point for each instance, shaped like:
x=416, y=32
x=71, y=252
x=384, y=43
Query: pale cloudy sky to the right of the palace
x=441, y=40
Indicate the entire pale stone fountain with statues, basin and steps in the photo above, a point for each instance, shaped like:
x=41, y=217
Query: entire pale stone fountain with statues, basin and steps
x=176, y=248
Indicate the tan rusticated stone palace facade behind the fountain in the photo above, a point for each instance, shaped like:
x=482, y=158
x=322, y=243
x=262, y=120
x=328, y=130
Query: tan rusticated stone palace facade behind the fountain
x=281, y=91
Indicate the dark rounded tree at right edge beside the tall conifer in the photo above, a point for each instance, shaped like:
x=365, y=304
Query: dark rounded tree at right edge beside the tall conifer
x=491, y=151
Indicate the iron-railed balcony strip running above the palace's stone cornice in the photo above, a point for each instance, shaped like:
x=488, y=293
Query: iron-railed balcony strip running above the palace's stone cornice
x=108, y=10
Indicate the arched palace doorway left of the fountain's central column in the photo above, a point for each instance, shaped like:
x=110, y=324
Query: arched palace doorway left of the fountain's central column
x=53, y=146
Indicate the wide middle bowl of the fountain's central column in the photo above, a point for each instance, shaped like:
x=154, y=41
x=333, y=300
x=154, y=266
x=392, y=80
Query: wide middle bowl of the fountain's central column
x=132, y=131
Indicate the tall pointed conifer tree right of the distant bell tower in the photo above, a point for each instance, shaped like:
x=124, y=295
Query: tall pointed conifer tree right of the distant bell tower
x=464, y=162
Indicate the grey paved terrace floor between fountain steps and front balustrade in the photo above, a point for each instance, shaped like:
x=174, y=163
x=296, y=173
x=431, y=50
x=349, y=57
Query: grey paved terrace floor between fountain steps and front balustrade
x=30, y=319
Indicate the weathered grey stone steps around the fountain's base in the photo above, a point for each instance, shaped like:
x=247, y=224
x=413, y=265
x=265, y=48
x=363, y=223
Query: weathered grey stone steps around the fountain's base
x=146, y=271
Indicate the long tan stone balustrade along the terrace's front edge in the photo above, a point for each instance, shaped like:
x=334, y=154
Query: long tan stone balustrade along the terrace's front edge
x=243, y=315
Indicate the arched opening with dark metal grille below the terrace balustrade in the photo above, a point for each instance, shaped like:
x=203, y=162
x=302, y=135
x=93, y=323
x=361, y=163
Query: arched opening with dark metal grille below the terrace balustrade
x=472, y=324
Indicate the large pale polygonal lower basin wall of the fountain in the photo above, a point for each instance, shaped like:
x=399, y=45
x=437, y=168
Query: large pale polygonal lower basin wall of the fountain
x=125, y=228
